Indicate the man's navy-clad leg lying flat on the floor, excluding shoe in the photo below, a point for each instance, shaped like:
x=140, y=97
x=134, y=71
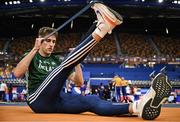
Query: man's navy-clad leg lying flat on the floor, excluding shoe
x=76, y=104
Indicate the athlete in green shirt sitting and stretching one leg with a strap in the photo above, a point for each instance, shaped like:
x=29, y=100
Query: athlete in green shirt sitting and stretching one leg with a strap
x=47, y=76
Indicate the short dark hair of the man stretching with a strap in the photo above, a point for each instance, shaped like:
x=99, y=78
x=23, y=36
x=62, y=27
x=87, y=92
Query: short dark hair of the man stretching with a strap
x=44, y=31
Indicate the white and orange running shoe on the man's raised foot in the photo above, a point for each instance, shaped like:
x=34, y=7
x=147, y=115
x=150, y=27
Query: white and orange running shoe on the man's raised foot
x=107, y=16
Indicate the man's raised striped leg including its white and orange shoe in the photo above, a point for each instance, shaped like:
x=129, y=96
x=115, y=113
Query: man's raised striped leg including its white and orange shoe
x=45, y=97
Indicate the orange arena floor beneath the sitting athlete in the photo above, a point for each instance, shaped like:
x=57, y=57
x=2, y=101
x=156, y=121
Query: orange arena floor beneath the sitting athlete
x=9, y=113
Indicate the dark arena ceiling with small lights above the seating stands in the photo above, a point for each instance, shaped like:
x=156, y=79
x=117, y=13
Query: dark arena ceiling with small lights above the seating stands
x=25, y=17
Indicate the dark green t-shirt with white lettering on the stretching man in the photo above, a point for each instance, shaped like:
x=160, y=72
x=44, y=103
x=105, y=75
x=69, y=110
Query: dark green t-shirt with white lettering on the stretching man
x=39, y=68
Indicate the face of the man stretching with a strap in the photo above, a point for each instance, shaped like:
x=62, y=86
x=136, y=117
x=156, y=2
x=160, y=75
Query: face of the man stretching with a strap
x=47, y=45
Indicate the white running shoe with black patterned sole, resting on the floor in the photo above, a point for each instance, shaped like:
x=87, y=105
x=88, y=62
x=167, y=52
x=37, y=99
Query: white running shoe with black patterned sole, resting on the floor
x=149, y=107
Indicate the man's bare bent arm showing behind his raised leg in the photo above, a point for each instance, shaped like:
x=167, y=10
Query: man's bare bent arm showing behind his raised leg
x=77, y=76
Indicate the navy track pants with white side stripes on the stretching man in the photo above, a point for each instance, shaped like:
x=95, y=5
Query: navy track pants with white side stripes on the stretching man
x=47, y=98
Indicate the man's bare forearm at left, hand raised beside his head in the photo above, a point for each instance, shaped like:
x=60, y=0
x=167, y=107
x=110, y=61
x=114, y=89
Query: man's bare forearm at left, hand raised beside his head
x=23, y=65
